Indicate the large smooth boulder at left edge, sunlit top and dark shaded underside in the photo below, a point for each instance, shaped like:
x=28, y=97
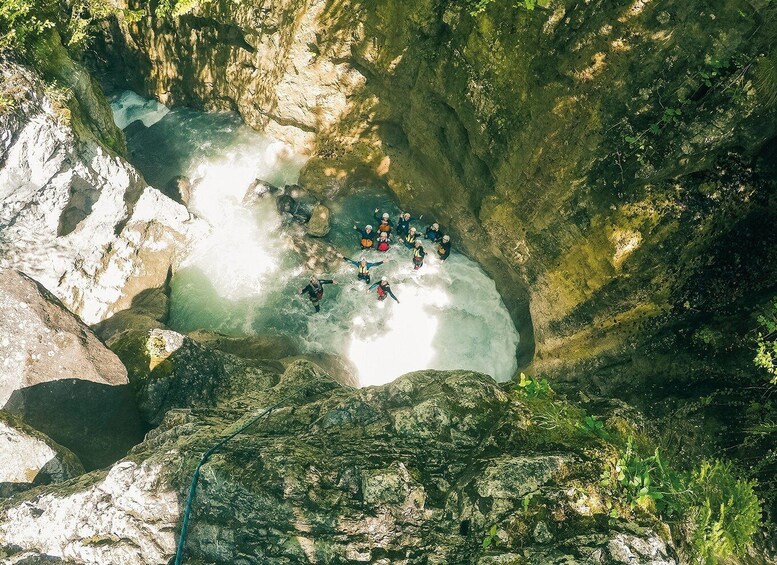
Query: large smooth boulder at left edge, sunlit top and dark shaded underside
x=59, y=378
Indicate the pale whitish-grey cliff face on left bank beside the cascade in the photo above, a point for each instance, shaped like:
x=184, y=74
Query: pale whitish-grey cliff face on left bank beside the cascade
x=74, y=214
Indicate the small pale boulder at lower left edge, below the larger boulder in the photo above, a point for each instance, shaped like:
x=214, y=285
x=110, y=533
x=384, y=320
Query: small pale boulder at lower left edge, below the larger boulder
x=28, y=457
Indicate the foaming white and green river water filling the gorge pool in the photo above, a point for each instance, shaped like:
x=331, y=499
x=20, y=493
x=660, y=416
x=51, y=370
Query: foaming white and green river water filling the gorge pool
x=243, y=279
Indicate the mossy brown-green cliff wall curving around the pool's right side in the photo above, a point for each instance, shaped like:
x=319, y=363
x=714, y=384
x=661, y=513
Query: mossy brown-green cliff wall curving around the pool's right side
x=603, y=162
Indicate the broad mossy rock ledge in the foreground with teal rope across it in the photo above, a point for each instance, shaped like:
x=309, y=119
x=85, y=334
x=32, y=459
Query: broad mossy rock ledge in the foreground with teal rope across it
x=417, y=471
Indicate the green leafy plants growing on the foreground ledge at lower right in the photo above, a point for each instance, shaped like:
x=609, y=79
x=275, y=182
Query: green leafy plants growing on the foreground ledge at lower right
x=713, y=512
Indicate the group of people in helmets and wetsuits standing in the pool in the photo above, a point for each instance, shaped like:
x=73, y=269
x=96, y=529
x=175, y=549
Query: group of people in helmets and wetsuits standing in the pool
x=381, y=239
